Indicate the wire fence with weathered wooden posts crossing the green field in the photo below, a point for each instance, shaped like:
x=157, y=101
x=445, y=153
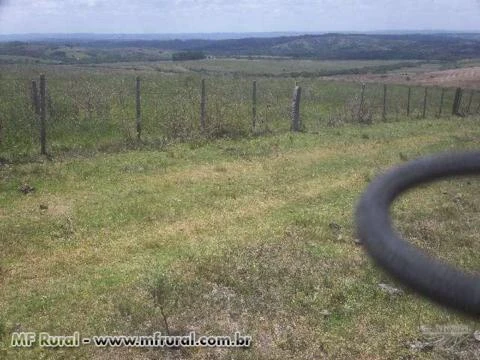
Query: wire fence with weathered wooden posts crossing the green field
x=71, y=114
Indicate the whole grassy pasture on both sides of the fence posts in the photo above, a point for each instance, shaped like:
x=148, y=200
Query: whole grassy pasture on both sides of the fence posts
x=236, y=230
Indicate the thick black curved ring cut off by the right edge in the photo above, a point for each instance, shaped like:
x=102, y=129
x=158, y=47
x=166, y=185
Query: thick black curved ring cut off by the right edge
x=436, y=280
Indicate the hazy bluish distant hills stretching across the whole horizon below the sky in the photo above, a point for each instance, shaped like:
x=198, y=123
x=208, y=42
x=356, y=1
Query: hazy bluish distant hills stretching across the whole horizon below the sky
x=82, y=49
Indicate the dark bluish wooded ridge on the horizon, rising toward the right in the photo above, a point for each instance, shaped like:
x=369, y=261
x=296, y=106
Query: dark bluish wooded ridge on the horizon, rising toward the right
x=349, y=46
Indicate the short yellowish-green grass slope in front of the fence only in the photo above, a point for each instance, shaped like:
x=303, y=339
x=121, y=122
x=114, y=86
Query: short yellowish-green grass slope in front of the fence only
x=239, y=234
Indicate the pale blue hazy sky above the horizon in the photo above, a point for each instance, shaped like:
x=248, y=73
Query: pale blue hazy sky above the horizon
x=210, y=16
